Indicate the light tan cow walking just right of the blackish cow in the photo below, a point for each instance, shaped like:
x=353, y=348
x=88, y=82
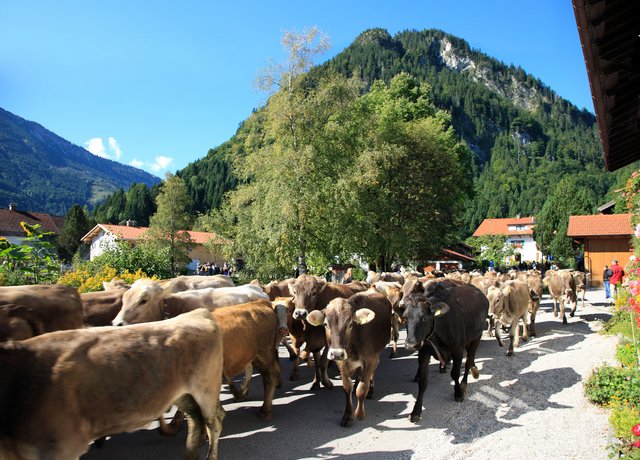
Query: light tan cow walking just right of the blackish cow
x=509, y=304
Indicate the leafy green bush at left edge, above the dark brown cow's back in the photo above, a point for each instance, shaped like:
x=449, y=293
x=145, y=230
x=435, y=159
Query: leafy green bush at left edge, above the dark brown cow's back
x=33, y=262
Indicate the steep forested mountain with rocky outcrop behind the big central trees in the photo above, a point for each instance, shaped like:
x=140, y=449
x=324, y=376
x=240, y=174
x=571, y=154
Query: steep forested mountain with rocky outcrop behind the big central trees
x=525, y=137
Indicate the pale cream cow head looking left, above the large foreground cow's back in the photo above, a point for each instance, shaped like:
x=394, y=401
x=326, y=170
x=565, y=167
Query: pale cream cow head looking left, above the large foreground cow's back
x=142, y=303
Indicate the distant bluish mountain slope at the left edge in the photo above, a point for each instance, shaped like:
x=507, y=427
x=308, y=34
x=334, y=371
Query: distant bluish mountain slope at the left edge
x=43, y=172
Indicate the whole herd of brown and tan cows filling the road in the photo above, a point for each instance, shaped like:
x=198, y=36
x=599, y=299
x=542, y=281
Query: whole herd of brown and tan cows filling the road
x=70, y=376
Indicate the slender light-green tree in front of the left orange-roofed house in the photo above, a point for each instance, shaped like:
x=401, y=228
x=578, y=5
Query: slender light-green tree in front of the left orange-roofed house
x=169, y=225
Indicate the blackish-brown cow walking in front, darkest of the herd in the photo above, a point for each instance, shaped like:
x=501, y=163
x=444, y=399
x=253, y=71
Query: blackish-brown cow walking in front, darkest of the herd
x=444, y=322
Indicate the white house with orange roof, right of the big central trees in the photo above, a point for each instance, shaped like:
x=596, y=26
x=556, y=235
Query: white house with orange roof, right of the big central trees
x=518, y=232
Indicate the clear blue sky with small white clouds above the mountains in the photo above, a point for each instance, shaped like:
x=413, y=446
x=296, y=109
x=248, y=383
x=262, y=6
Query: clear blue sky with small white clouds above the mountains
x=157, y=84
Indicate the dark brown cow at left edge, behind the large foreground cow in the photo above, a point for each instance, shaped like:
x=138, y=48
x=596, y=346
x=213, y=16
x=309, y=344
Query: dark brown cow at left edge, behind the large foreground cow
x=41, y=308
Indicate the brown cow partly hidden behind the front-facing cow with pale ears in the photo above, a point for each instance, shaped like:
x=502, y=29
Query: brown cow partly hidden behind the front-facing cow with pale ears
x=314, y=293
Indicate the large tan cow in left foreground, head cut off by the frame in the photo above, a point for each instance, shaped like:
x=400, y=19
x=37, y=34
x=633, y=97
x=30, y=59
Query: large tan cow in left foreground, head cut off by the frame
x=106, y=380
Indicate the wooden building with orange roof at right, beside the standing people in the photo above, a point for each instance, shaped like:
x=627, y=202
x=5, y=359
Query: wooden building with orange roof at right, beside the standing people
x=605, y=237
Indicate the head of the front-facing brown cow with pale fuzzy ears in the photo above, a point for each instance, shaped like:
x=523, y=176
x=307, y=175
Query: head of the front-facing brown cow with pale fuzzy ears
x=339, y=321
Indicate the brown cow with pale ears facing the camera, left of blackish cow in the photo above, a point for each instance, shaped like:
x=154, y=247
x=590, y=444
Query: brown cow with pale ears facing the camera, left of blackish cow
x=357, y=332
